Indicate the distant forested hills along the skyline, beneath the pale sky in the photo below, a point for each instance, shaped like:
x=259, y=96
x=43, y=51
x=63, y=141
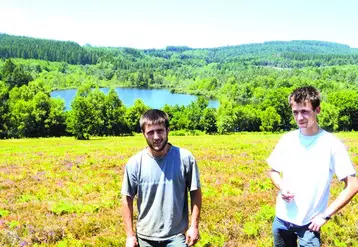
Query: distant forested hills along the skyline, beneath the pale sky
x=284, y=54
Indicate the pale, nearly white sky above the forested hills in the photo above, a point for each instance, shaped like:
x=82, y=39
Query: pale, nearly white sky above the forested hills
x=194, y=23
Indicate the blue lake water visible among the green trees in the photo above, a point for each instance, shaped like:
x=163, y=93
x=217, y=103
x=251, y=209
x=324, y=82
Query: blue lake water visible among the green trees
x=154, y=98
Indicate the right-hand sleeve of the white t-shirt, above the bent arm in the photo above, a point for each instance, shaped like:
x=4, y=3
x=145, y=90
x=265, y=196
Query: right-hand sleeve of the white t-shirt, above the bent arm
x=342, y=164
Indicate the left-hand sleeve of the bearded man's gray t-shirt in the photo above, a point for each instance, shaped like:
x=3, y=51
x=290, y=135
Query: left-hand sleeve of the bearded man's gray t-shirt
x=130, y=182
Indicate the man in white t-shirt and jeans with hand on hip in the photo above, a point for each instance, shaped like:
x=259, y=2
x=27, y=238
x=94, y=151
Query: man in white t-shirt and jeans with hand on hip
x=302, y=166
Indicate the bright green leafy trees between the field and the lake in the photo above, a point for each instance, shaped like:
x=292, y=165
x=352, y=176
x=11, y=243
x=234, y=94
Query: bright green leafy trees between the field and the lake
x=256, y=104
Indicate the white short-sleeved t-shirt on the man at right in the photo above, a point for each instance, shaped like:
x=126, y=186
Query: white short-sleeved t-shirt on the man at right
x=307, y=164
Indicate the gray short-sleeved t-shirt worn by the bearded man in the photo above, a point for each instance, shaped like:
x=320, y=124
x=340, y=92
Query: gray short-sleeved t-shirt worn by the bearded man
x=161, y=185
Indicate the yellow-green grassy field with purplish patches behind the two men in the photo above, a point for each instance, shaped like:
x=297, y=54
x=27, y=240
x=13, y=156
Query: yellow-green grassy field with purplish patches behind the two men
x=65, y=192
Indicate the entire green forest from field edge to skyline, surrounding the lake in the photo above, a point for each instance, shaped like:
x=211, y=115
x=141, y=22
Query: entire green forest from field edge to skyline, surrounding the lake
x=252, y=83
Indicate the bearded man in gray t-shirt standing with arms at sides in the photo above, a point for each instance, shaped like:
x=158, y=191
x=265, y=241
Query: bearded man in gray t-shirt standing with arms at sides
x=161, y=176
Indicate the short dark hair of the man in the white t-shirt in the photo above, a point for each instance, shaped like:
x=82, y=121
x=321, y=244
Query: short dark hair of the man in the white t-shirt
x=302, y=94
